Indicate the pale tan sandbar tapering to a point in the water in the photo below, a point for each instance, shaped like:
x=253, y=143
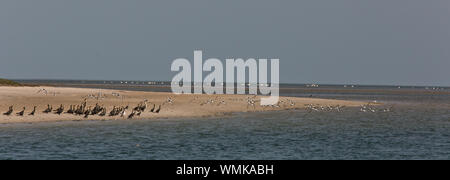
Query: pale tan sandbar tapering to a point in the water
x=183, y=106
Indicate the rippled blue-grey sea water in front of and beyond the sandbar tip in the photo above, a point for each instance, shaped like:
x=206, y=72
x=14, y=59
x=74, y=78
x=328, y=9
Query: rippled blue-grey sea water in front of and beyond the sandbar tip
x=418, y=128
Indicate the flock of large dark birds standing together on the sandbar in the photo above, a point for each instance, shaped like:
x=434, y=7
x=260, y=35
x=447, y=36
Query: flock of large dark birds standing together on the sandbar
x=86, y=111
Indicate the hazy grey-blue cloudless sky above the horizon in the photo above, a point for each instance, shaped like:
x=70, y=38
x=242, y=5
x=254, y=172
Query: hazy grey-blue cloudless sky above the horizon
x=317, y=41
